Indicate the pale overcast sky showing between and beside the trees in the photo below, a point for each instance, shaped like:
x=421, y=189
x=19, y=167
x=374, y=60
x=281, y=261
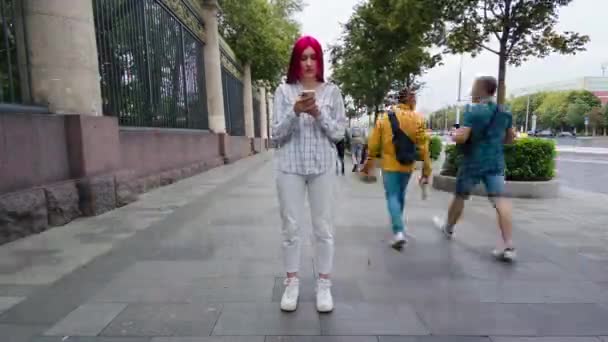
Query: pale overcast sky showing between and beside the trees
x=322, y=19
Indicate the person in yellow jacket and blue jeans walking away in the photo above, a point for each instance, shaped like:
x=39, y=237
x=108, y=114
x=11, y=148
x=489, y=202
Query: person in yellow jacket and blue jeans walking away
x=396, y=175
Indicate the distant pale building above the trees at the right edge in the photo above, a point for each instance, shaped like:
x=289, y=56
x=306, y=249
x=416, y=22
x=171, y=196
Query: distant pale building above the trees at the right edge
x=596, y=85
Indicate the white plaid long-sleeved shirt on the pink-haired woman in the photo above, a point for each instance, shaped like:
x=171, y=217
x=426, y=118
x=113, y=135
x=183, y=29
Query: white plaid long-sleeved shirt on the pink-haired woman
x=305, y=145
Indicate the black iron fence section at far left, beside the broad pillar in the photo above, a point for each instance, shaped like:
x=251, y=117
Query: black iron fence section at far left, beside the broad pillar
x=14, y=77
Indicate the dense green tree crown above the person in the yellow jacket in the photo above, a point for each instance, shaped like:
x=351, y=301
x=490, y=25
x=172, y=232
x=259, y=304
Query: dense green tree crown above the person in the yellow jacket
x=385, y=46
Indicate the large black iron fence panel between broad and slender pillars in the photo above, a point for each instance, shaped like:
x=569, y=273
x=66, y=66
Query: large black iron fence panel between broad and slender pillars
x=151, y=64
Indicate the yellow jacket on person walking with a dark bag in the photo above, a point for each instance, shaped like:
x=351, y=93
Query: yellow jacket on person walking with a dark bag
x=380, y=143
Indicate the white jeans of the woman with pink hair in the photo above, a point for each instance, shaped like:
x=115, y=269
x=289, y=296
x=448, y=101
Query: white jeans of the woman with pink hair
x=292, y=191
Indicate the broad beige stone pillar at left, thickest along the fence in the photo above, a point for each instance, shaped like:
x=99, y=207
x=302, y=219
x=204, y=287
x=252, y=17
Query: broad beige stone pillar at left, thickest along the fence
x=62, y=51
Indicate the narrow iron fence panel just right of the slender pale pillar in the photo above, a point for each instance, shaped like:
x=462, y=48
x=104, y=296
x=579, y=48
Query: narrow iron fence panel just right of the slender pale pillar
x=234, y=109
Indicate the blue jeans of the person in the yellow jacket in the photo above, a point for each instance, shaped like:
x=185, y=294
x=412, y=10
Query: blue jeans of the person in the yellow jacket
x=395, y=185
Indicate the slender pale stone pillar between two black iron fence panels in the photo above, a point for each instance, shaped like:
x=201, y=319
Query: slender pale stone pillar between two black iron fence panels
x=213, y=68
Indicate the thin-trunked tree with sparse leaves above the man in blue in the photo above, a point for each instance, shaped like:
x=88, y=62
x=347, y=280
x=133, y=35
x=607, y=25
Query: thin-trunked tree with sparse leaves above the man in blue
x=522, y=29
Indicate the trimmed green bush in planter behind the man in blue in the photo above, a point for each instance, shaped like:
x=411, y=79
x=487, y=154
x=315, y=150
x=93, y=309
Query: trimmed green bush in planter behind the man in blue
x=528, y=159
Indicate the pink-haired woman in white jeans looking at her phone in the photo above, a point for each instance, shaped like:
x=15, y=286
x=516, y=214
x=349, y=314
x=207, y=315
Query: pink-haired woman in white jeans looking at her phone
x=308, y=120
